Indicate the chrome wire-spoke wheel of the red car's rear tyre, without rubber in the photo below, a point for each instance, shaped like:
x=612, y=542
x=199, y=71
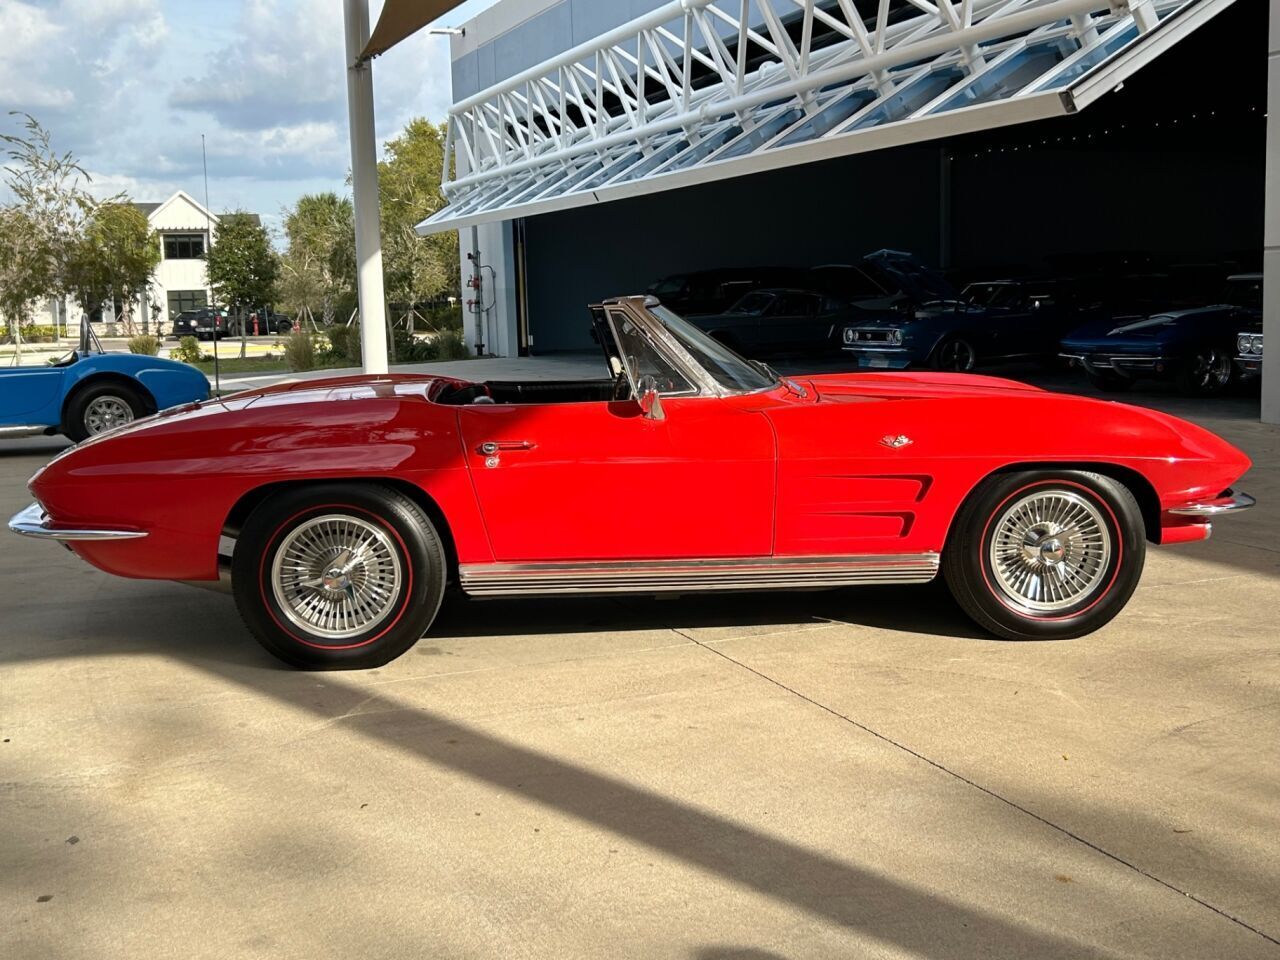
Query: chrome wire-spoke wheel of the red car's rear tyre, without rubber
x=337, y=577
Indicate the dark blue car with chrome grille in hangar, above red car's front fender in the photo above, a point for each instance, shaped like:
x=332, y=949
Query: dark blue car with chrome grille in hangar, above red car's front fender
x=993, y=322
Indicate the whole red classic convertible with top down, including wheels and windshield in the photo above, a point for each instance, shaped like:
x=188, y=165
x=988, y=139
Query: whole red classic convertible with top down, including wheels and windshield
x=340, y=510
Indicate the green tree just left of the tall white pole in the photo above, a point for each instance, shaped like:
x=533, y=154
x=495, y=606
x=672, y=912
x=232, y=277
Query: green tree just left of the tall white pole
x=318, y=269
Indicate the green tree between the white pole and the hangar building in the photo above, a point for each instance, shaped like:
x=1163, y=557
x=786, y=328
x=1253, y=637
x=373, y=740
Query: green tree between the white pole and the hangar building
x=417, y=268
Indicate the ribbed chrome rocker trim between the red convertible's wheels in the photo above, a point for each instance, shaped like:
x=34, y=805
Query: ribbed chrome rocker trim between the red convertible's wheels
x=696, y=575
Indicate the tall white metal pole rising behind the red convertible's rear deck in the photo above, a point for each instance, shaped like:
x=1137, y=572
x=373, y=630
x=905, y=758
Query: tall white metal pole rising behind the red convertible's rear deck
x=364, y=179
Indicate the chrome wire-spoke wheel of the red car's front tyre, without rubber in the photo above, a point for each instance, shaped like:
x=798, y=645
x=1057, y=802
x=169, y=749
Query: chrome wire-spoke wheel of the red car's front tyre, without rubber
x=1050, y=551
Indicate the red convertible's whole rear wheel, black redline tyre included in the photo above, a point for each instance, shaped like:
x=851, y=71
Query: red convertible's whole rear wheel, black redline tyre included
x=339, y=577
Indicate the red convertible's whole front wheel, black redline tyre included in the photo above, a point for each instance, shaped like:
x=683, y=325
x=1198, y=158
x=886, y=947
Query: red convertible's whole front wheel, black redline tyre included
x=1046, y=555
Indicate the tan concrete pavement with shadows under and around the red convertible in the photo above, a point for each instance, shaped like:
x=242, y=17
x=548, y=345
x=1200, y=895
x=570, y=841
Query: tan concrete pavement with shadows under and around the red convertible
x=842, y=775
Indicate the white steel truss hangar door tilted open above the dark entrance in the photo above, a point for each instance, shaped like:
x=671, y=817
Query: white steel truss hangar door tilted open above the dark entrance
x=733, y=88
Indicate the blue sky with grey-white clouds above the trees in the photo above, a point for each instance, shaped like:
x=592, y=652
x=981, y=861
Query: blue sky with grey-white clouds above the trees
x=129, y=86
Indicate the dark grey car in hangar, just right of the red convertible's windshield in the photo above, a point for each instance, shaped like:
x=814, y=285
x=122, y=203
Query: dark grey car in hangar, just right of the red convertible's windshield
x=780, y=321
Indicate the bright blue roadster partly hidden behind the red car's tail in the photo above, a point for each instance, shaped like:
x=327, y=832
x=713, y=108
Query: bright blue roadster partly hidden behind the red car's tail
x=90, y=391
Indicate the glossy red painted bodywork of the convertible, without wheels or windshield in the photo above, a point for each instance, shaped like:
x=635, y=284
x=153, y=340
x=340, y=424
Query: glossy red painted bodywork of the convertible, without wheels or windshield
x=862, y=464
